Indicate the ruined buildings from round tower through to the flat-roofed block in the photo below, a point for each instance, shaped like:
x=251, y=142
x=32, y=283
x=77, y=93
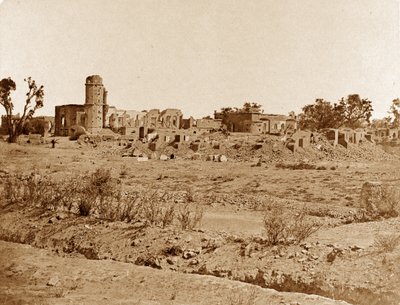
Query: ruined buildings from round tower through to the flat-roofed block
x=95, y=114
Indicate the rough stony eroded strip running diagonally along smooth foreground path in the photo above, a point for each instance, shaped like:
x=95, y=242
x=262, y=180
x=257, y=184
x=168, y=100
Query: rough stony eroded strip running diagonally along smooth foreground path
x=79, y=235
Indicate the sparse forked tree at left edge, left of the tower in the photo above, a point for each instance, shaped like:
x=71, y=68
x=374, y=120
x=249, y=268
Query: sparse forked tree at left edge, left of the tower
x=15, y=123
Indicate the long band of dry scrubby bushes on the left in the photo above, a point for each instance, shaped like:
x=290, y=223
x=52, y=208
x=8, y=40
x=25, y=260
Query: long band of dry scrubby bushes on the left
x=99, y=194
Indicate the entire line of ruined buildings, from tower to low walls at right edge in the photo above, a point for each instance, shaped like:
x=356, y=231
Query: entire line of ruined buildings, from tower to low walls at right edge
x=95, y=114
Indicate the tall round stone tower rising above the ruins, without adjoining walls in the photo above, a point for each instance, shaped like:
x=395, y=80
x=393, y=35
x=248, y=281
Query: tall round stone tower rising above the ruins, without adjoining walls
x=95, y=104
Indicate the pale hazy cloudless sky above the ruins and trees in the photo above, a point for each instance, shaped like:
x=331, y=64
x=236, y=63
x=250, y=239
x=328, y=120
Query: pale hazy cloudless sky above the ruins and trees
x=201, y=55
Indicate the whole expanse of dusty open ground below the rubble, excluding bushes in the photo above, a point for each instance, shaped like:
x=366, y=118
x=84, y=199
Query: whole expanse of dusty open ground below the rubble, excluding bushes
x=224, y=260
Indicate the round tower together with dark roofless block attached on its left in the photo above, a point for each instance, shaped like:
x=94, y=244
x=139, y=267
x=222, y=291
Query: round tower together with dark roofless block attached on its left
x=91, y=115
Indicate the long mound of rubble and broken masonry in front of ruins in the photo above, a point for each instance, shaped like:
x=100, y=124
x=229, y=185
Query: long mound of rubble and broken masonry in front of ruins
x=239, y=147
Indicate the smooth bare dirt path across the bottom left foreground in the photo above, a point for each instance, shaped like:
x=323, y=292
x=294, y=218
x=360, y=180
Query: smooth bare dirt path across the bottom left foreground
x=37, y=276
